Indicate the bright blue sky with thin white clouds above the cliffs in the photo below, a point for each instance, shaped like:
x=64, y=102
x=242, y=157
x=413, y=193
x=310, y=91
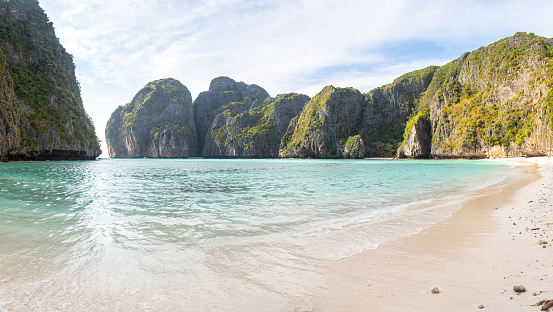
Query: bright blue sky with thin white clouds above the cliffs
x=281, y=45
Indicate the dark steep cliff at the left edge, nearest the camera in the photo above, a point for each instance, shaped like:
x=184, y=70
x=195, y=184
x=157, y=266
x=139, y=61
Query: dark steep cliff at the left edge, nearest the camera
x=42, y=115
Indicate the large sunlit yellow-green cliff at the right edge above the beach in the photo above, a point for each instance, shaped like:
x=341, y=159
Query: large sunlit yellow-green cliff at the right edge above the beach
x=496, y=101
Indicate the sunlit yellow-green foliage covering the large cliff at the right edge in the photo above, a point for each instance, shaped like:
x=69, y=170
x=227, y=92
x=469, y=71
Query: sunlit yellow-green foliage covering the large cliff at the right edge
x=467, y=106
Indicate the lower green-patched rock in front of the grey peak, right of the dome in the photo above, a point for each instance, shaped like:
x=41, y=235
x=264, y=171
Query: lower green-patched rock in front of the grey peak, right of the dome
x=256, y=132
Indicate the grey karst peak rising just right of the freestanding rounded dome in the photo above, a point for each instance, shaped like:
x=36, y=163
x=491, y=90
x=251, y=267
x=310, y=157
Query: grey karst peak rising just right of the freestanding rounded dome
x=227, y=95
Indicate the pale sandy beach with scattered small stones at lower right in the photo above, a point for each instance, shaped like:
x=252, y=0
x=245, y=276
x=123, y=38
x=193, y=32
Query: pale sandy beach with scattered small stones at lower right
x=474, y=258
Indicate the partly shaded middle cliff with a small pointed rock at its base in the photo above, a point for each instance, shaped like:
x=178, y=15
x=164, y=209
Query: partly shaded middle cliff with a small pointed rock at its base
x=344, y=123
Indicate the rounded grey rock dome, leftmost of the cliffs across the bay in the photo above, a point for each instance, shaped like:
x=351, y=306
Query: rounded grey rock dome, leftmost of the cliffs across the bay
x=157, y=123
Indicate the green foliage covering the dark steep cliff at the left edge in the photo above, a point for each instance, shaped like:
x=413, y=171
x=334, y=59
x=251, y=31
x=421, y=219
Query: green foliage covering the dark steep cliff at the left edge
x=43, y=76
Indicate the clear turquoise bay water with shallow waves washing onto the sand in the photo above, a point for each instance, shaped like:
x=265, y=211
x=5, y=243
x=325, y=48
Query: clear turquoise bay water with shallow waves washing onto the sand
x=208, y=234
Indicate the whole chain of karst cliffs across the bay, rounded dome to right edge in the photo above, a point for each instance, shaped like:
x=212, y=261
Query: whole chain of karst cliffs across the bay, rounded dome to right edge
x=494, y=102
